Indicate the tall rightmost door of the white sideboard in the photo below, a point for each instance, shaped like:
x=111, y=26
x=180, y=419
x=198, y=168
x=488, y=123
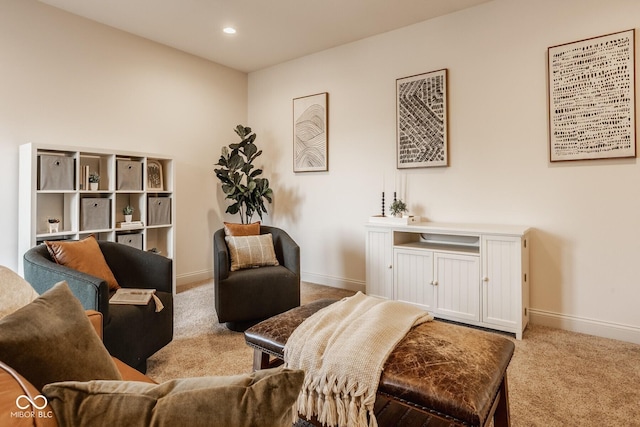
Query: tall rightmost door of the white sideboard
x=501, y=281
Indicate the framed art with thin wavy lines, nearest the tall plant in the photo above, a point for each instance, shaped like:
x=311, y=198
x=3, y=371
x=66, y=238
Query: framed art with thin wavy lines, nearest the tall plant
x=311, y=133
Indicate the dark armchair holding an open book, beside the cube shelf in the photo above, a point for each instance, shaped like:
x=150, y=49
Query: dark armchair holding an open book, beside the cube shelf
x=131, y=333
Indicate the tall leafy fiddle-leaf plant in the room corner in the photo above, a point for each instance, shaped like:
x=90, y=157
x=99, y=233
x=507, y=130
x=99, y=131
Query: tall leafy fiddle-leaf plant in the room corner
x=240, y=181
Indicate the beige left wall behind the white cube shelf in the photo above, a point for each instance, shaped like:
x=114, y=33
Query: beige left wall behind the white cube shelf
x=67, y=80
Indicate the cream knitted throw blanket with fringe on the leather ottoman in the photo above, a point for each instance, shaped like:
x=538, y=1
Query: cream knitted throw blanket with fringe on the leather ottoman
x=342, y=349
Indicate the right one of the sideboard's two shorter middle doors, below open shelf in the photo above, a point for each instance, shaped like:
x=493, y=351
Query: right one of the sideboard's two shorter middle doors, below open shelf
x=457, y=286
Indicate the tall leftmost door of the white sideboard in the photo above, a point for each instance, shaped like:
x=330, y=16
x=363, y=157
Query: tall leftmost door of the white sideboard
x=379, y=263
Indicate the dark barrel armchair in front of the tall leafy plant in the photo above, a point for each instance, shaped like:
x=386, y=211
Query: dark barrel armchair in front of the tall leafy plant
x=245, y=297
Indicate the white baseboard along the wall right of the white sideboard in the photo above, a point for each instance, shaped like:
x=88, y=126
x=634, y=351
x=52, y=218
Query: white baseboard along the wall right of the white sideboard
x=584, y=325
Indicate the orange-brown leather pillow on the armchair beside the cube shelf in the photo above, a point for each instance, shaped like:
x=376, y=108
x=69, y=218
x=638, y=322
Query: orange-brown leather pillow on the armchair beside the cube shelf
x=83, y=255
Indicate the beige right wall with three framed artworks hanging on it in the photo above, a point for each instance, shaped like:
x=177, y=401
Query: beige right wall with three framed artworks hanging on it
x=586, y=215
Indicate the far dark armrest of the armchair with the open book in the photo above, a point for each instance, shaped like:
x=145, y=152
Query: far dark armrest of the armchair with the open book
x=134, y=268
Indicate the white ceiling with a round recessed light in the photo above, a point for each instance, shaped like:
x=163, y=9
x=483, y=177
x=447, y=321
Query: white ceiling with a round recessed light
x=269, y=31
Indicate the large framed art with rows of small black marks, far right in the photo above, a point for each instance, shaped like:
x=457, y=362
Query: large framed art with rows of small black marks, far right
x=591, y=98
